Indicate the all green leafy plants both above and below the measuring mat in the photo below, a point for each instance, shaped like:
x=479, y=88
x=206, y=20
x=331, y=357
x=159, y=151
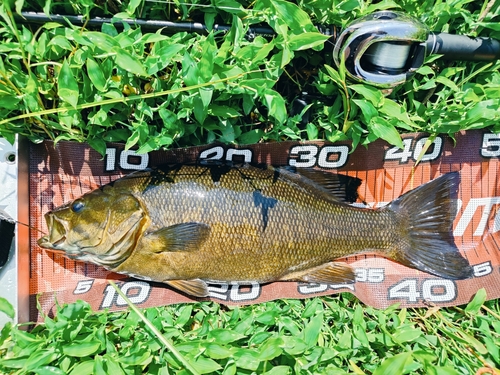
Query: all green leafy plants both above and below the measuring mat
x=151, y=89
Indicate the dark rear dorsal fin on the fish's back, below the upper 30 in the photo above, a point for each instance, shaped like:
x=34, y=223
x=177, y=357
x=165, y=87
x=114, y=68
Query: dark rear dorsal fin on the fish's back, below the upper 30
x=329, y=186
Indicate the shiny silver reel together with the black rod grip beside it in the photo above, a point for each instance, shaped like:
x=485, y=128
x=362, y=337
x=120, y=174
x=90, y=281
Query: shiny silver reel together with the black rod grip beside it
x=386, y=48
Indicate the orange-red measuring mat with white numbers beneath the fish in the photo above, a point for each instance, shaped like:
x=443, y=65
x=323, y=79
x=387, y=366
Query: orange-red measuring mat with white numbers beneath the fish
x=62, y=173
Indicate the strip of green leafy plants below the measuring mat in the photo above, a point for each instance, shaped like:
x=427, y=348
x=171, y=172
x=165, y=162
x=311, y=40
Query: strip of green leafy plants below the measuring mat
x=329, y=335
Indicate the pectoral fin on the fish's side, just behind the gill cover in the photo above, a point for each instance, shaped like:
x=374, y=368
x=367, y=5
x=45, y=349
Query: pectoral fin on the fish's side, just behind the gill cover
x=178, y=237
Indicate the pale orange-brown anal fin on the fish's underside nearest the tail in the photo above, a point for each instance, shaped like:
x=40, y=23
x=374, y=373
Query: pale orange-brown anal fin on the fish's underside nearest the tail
x=328, y=273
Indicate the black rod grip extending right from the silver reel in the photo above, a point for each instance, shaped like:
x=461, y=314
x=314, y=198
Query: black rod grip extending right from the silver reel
x=459, y=47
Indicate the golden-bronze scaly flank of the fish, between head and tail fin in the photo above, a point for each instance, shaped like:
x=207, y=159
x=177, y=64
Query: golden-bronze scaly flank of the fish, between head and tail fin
x=299, y=228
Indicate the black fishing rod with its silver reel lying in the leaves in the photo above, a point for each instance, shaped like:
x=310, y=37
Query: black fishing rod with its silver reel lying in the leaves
x=383, y=49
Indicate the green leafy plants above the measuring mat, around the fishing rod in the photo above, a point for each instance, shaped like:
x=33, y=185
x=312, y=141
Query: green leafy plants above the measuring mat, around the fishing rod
x=154, y=90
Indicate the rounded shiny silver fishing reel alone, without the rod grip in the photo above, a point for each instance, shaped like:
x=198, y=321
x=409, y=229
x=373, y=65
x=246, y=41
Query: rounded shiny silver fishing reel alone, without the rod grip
x=383, y=49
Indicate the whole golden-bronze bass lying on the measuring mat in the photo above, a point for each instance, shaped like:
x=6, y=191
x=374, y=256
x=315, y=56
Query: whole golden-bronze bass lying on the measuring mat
x=191, y=225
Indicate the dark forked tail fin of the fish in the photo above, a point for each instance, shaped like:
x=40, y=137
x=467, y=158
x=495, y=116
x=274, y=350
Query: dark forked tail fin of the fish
x=427, y=214
